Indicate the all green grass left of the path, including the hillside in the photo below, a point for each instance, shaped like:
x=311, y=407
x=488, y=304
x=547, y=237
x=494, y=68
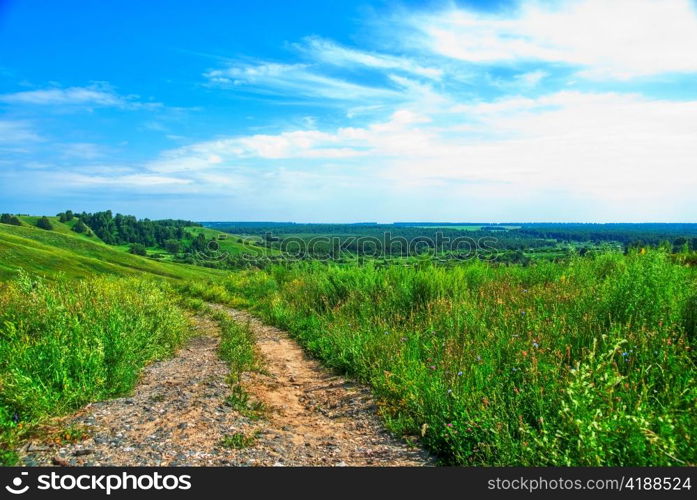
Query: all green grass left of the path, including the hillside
x=84, y=331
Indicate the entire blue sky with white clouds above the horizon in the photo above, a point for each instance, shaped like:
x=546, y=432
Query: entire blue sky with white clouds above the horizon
x=581, y=110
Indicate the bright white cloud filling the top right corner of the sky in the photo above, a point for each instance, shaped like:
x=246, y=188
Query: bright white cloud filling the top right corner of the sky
x=609, y=39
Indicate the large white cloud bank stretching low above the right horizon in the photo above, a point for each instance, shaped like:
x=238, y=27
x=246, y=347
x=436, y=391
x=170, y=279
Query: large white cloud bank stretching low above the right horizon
x=607, y=150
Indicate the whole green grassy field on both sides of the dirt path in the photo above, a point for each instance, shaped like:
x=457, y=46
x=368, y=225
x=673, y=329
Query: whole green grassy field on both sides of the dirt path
x=565, y=359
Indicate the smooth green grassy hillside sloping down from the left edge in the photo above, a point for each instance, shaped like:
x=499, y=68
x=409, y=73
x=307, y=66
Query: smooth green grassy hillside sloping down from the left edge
x=61, y=250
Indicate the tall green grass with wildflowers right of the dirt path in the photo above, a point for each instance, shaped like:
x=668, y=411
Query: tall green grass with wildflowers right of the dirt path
x=589, y=362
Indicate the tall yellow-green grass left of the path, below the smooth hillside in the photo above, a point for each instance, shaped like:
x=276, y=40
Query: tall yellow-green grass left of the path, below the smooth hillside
x=66, y=343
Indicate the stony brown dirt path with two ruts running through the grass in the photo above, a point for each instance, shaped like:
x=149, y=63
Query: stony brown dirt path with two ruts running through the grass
x=178, y=414
